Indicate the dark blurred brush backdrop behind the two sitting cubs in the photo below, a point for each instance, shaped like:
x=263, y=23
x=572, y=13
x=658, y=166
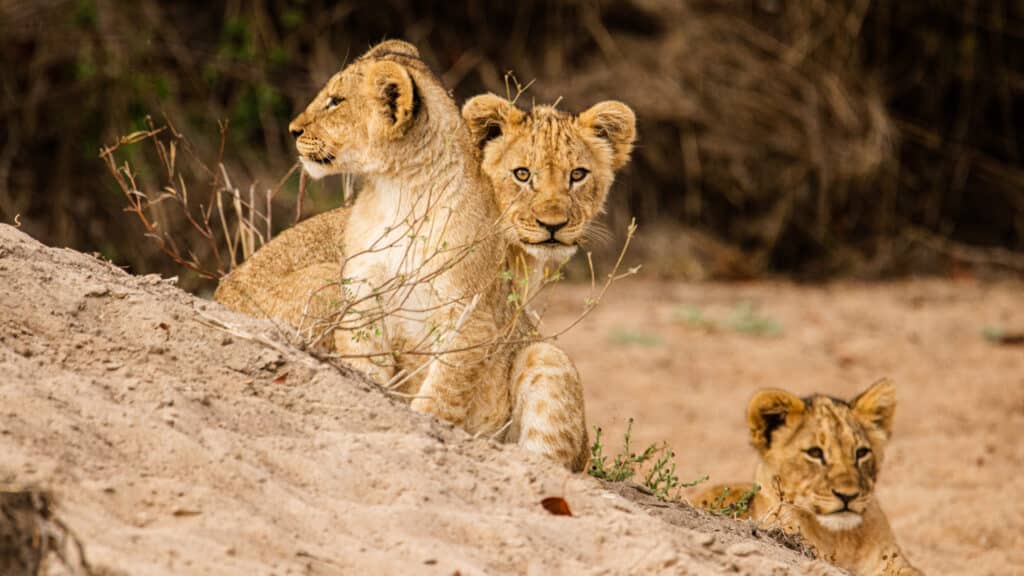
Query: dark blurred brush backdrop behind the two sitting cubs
x=812, y=139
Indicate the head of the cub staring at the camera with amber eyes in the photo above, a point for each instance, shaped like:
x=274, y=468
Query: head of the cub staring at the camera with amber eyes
x=551, y=171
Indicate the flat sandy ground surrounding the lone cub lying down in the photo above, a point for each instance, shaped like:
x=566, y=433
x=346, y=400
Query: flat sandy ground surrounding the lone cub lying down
x=684, y=360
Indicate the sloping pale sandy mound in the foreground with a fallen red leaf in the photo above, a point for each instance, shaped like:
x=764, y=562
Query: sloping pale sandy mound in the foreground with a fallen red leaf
x=174, y=447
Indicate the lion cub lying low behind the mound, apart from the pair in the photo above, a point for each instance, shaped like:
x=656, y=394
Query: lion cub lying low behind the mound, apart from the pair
x=820, y=461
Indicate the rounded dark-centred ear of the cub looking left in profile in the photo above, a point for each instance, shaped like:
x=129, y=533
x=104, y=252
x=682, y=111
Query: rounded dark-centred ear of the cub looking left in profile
x=391, y=87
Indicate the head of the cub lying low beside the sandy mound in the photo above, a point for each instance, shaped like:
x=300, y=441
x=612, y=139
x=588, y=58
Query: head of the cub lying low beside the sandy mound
x=823, y=455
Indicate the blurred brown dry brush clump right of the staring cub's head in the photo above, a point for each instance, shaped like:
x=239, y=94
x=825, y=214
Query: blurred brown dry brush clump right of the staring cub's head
x=766, y=131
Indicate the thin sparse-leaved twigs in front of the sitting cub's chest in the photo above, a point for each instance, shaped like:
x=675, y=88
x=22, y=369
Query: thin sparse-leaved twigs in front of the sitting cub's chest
x=362, y=310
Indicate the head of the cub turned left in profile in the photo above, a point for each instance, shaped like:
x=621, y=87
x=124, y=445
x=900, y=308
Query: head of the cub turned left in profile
x=359, y=118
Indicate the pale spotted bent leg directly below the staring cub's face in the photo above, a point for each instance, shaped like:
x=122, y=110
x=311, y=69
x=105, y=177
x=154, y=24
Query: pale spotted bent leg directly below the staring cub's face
x=548, y=406
